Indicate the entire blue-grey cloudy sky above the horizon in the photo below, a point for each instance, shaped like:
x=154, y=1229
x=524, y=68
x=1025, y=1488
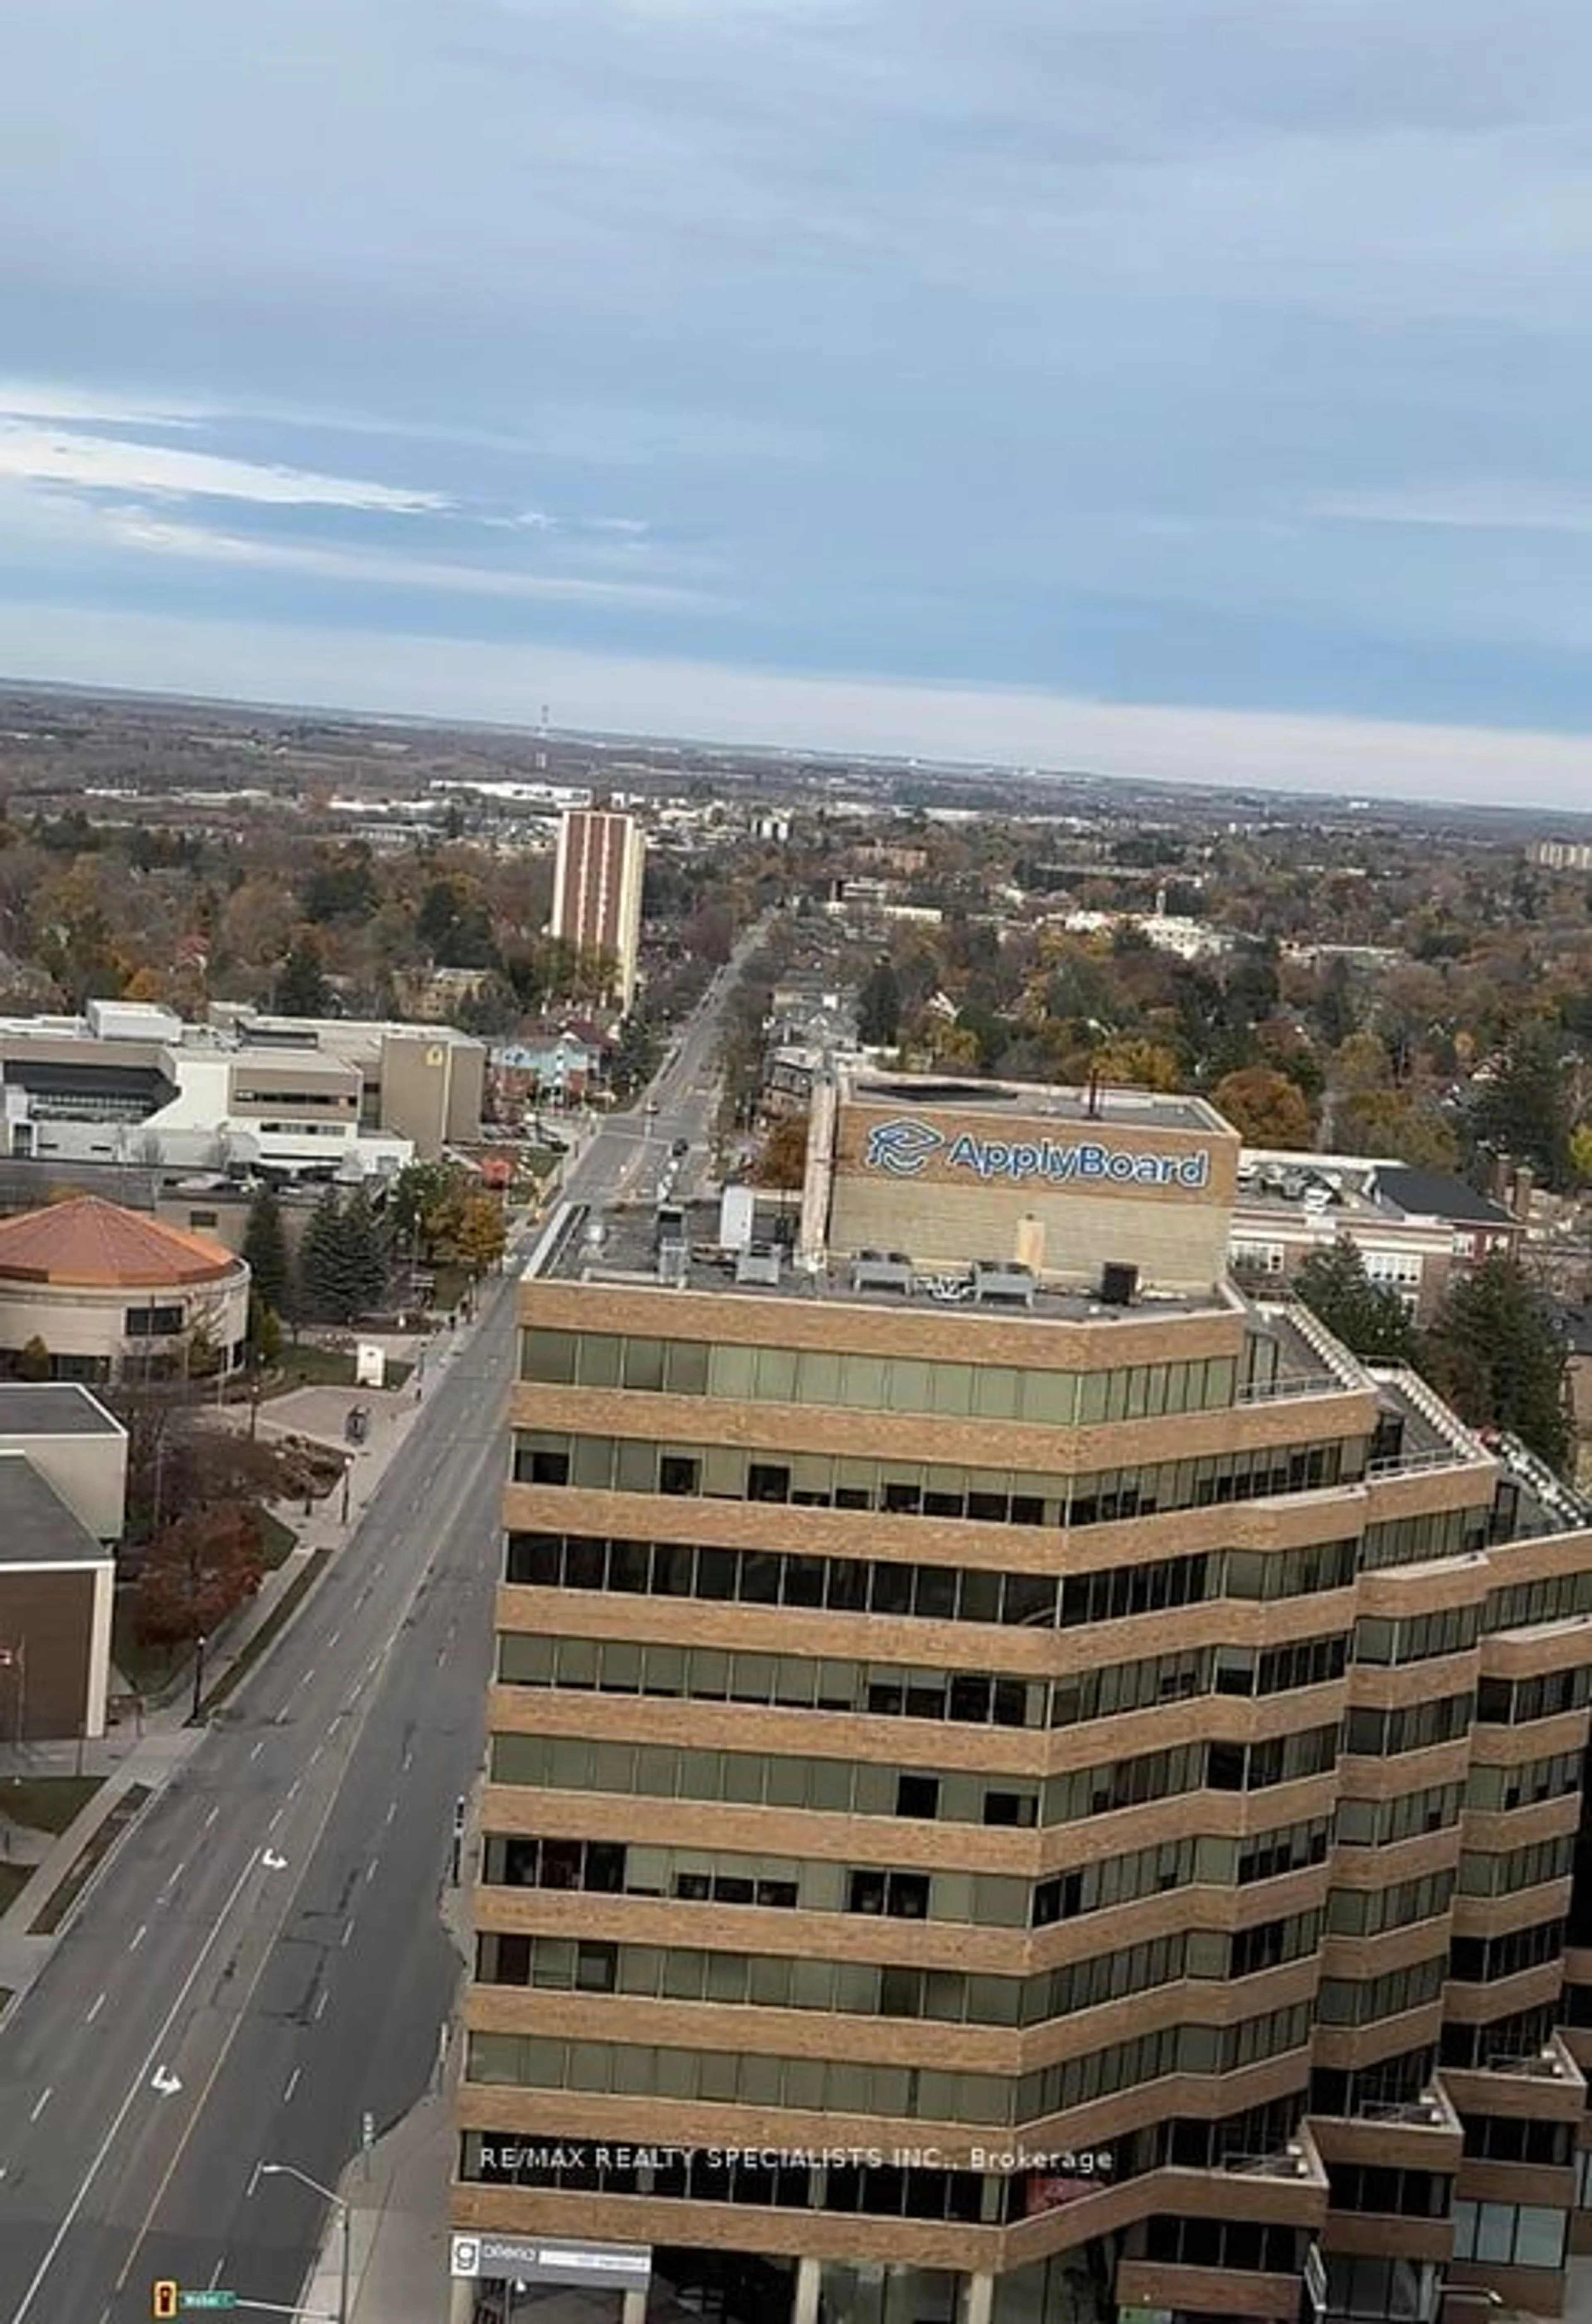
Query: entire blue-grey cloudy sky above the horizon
x=1177, y=387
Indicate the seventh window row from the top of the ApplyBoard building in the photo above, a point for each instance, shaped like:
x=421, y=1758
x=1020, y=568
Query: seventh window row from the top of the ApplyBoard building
x=870, y=1991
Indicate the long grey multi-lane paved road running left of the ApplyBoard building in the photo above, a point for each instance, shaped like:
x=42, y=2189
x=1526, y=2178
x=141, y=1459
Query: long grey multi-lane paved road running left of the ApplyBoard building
x=271, y=1939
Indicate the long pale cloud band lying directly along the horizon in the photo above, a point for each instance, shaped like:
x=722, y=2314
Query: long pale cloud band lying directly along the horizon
x=447, y=677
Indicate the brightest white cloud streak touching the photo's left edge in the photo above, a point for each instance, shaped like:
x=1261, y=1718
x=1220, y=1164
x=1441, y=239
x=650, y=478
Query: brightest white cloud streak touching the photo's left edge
x=69, y=457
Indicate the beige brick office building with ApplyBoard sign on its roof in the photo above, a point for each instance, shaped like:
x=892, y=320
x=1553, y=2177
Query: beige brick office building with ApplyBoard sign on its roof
x=1010, y=1805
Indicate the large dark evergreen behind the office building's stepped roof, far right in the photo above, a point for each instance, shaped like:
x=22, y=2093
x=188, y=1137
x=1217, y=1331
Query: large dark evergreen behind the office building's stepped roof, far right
x=1498, y=1356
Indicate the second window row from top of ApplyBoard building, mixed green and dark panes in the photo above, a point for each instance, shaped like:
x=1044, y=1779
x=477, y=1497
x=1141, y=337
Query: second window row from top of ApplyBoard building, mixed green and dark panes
x=928, y=1489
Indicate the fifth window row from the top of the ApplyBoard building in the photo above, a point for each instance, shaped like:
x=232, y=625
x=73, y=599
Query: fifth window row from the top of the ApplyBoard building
x=863, y=1788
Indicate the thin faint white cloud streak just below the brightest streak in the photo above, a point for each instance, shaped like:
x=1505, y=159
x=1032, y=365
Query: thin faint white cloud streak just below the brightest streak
x=373, y=571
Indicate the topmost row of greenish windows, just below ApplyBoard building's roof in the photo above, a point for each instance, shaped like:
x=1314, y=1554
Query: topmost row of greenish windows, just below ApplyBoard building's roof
x=875, y=1384
